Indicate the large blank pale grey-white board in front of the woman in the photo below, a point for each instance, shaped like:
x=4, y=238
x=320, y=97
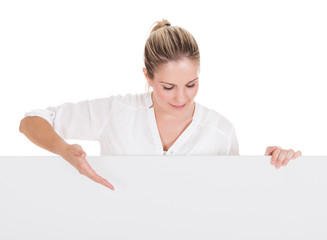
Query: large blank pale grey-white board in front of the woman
x=168, y=197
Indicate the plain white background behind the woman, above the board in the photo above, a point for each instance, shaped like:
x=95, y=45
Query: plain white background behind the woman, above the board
x=263, y=63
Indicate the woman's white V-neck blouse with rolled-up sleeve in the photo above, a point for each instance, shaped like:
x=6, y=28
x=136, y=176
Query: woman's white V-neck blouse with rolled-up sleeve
x=126, y=125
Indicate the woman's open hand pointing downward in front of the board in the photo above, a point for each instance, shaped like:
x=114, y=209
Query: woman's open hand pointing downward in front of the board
x=75, y=155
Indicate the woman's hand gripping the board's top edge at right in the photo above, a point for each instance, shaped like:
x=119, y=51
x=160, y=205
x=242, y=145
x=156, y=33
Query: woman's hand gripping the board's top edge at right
x=280, y=157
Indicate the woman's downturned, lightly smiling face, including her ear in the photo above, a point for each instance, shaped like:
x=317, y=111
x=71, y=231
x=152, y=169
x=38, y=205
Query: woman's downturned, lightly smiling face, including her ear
x=175, y=85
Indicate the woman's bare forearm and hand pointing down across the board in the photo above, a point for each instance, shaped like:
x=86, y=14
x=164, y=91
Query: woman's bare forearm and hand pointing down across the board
x=41, y=133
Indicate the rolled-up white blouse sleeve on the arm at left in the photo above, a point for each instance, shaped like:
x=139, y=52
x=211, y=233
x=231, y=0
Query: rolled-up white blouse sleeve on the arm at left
x=83, y=120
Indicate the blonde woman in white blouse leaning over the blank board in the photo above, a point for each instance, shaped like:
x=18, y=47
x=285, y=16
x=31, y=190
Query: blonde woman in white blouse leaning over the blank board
x=166, y=121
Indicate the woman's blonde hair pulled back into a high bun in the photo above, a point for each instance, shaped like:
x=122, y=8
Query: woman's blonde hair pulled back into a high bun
x=168, y=43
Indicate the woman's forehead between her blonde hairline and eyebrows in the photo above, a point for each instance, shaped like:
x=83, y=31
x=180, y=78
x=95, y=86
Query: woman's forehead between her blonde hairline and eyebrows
x=180, y=71
